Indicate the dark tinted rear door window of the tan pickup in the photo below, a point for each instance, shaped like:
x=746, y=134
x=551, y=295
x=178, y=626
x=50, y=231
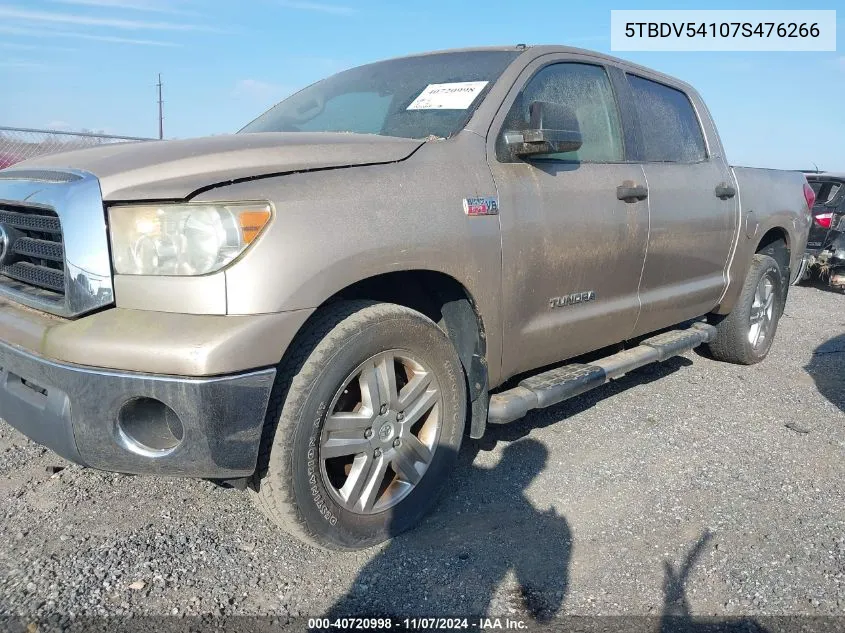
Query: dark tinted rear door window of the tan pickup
x=670, y=129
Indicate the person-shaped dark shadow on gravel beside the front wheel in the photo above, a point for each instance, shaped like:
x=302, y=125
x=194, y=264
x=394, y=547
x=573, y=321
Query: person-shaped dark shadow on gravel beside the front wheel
x=485, y=529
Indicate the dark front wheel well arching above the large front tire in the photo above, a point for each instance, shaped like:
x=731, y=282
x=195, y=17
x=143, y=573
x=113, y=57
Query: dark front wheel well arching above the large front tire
x=449, y=304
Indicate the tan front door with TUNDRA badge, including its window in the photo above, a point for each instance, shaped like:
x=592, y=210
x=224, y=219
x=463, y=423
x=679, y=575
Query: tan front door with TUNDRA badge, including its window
x=572, y=250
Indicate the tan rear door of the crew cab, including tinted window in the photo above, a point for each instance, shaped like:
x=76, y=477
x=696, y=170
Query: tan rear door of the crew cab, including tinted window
x=692, y=205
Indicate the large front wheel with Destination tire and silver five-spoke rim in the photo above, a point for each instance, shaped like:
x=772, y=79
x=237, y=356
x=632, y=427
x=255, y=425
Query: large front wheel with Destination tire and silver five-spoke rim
x=301, y=488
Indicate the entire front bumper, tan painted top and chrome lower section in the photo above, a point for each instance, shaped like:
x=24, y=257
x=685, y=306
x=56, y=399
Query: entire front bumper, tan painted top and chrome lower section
x=143, y=392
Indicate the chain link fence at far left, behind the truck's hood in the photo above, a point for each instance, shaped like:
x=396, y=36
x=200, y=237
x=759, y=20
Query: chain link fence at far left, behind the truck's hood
x=17, y=144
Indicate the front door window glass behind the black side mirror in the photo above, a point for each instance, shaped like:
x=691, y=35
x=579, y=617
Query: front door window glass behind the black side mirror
x=586, y=89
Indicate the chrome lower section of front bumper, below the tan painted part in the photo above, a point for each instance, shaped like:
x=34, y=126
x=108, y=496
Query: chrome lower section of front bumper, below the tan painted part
x=134, y=422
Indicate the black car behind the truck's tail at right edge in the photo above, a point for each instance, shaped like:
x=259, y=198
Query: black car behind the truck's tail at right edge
x=825, y=254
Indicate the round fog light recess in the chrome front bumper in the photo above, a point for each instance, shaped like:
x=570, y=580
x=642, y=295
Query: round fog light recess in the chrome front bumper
x=149, y=427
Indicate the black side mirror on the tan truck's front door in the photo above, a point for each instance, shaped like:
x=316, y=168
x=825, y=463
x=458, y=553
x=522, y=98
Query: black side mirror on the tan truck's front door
x=552, y=129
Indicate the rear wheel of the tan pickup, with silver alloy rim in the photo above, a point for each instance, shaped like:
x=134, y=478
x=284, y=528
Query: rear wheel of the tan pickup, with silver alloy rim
x=736, y=332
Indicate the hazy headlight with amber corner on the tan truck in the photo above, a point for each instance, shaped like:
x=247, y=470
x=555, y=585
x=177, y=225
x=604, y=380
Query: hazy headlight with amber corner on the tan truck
x=183, y=239
